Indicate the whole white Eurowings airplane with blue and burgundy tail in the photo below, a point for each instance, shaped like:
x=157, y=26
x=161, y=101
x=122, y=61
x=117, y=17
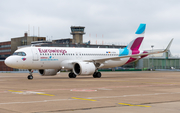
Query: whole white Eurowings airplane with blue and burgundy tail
x=79, y=61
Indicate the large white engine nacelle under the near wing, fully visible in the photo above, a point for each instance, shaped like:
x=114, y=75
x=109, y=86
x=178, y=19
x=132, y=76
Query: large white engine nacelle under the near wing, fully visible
x=84, y=68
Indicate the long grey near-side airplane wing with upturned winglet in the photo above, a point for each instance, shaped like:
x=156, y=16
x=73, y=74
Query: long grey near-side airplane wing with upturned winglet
x=136, y=55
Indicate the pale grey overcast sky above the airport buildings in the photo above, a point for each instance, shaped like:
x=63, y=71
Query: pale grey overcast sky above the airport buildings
x=114, y=21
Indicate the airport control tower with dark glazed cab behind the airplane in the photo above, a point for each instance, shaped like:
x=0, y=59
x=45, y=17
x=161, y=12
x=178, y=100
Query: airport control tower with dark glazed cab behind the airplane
x=77, y=32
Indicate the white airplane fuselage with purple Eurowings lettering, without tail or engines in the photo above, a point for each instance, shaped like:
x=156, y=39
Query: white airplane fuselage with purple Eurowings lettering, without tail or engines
x=59, y=57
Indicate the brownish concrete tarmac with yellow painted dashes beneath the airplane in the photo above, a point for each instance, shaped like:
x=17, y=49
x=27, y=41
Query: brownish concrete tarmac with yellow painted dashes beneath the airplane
x=115, y=92
